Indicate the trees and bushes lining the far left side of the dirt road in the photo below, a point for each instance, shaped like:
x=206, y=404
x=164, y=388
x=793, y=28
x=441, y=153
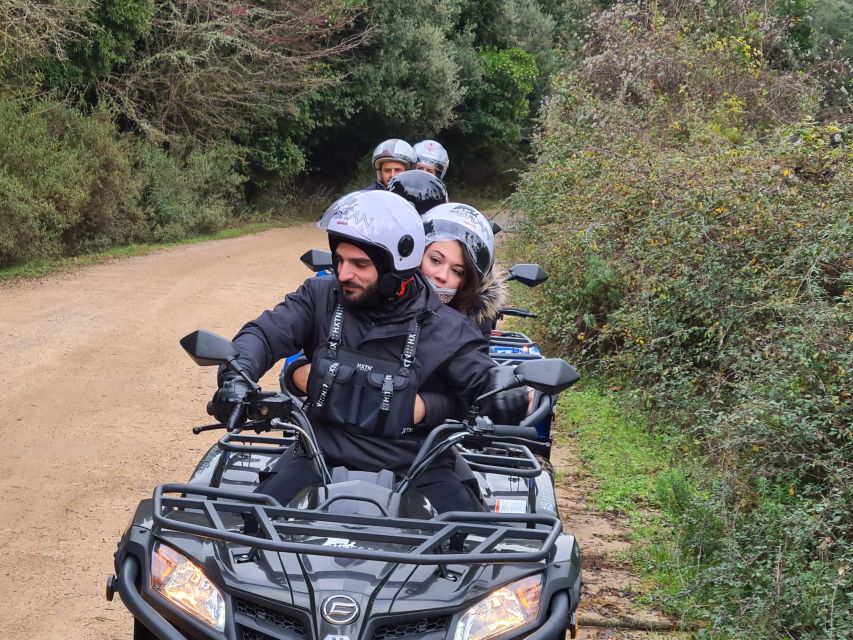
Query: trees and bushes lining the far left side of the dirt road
x=97, y=94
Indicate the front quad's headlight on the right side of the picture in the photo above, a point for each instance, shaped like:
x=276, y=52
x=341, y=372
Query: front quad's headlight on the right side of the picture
x=502, y=610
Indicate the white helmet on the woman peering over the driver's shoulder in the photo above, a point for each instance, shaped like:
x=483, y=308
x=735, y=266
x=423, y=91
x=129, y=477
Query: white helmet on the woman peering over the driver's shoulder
x=455, y=221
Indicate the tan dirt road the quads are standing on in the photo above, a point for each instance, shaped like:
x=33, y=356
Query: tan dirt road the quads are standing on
x=96, y=404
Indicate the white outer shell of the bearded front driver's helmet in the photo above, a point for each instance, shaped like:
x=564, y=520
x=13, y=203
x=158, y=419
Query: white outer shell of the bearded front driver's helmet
x=379, y=219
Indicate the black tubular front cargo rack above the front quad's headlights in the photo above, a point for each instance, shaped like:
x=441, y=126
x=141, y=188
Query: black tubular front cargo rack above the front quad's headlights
x=200, y=511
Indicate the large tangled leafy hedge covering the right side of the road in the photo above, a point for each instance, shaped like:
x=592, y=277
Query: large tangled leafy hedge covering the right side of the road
x=696, y=222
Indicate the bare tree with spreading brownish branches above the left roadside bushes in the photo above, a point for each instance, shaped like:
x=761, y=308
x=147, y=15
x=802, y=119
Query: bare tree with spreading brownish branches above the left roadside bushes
x=209, y=68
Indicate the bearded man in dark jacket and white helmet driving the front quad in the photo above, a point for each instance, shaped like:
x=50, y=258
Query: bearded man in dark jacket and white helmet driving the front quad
x=379, y=340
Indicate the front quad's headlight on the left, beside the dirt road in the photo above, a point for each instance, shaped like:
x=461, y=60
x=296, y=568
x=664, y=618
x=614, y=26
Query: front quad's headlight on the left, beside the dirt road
x=180, y=581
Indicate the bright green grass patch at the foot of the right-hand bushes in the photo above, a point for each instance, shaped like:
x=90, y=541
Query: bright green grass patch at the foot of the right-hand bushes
x=630, y=467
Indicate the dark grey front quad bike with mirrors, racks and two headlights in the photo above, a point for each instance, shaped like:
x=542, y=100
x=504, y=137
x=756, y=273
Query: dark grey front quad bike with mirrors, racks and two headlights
x=362, y=557
